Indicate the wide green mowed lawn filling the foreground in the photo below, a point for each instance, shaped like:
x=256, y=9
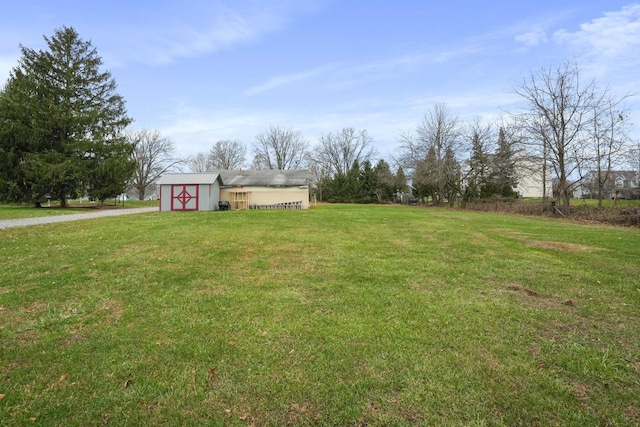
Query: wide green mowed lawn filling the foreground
x=339, y=315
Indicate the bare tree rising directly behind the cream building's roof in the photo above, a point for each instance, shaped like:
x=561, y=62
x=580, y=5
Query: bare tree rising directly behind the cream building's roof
x=280, y=148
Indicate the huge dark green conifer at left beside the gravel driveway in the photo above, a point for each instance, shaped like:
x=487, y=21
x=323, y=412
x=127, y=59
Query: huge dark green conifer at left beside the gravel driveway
x=61, y=125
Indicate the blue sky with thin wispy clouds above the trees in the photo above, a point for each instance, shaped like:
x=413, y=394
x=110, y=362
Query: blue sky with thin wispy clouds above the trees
x=200, y=71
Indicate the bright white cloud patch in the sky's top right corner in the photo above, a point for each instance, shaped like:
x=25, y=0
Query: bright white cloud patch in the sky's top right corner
x=614, y=34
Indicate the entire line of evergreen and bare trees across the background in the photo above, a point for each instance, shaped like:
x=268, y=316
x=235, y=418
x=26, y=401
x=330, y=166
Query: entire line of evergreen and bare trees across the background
x=63, y=134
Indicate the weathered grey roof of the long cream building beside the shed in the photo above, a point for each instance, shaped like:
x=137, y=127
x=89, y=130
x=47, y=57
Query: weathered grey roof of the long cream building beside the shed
x=267, y=178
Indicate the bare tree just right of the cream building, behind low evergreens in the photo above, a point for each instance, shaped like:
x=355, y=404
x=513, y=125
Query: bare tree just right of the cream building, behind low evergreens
x=337, y=151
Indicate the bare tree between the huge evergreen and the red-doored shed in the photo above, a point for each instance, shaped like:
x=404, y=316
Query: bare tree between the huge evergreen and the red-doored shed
x=154, y=156
